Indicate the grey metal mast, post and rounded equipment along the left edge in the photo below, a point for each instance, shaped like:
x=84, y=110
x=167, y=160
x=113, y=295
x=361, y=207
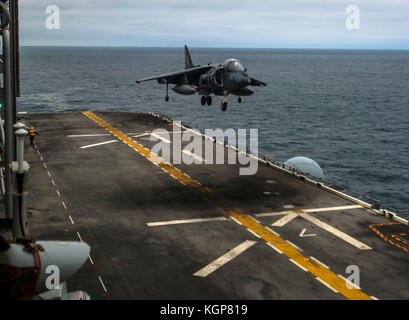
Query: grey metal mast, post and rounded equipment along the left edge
x=23, y=262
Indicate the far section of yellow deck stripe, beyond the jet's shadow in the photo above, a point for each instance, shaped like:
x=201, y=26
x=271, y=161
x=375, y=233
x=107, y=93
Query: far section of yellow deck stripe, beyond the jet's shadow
x=148, y=154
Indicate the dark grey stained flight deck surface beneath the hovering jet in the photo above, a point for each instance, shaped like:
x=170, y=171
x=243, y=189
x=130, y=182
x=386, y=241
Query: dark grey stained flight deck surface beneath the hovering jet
x=111, y=192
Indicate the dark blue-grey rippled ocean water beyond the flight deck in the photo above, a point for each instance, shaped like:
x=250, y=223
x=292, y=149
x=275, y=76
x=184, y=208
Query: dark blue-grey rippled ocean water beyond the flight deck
x=347, y=110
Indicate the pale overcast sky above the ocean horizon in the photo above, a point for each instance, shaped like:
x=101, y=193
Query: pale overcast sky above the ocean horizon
x=384, y=24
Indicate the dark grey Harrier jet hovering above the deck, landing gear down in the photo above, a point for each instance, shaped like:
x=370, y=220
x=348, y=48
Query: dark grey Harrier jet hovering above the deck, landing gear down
x=218, y=79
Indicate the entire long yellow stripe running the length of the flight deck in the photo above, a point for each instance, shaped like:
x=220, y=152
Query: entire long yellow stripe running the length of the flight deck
x=324, y=275
